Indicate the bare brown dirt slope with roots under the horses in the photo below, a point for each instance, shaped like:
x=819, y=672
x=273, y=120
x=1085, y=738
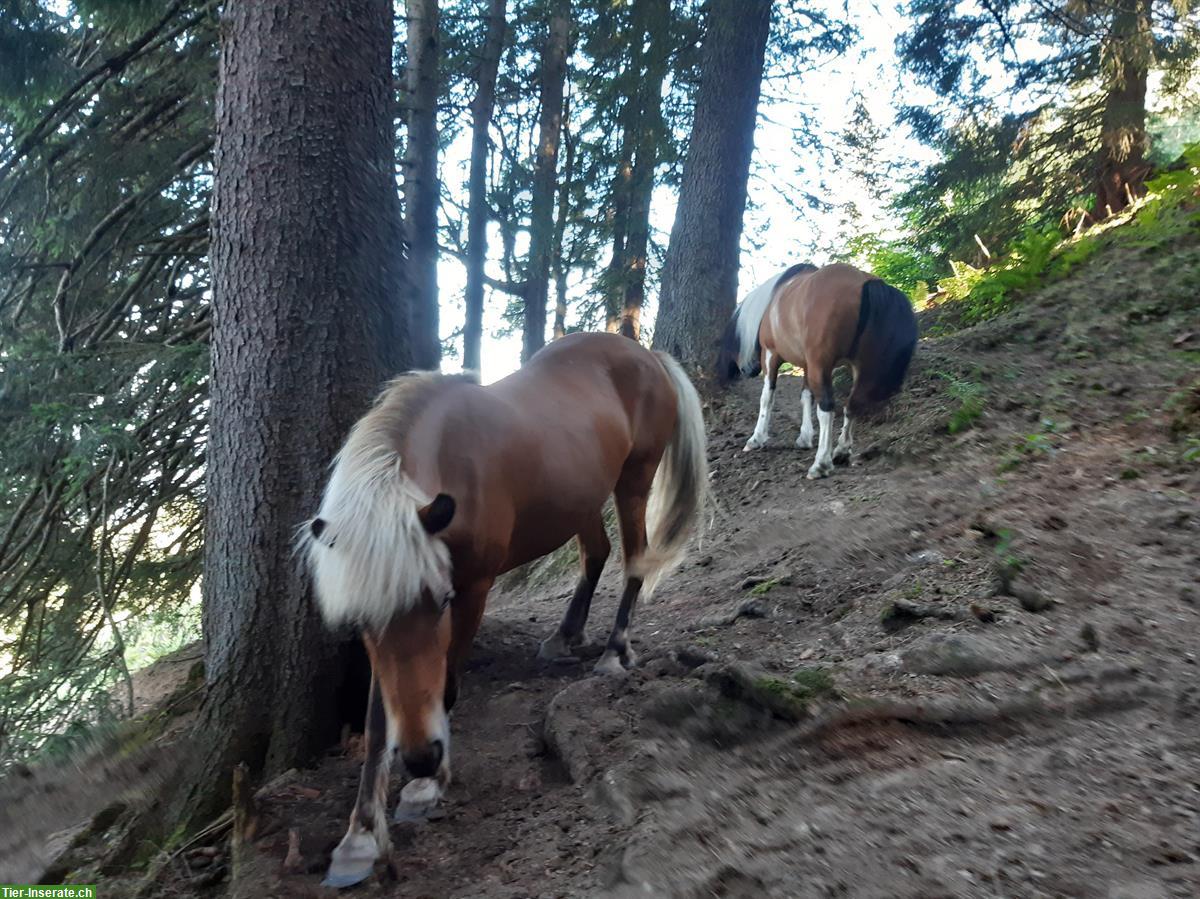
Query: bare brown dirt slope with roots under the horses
x=963, y=667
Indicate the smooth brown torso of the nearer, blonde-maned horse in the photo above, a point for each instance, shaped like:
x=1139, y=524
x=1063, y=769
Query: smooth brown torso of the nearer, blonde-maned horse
x=538, y=452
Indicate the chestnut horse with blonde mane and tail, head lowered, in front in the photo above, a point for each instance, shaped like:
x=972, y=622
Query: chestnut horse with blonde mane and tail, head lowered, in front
x=445, y=486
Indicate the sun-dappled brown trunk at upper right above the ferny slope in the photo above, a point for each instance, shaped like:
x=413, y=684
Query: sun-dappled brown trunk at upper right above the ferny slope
x=1126, y=55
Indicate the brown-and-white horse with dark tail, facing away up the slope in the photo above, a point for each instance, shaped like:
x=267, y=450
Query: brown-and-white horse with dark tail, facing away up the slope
x=817, y=319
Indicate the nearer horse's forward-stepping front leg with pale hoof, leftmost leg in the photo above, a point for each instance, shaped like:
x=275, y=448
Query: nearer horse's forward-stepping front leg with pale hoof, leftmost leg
x=367, y=841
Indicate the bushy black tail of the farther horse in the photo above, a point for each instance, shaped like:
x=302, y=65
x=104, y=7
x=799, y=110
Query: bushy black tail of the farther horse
x=889, y=327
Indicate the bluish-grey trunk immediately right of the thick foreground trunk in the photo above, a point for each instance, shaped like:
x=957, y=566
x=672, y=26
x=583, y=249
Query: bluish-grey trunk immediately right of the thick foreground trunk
x=422, y=189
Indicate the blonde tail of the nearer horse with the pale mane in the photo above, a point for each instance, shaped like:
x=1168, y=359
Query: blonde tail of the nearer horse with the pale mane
x=681, y=492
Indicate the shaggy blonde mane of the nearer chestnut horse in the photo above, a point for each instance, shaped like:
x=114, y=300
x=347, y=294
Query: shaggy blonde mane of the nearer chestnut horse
x=368, y=552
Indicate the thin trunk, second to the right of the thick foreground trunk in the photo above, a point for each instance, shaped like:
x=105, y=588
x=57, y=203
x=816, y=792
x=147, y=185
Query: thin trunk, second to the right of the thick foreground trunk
x=478, y=211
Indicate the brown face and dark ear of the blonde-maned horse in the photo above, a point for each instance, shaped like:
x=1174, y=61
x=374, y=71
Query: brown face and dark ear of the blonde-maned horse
x=410, y=658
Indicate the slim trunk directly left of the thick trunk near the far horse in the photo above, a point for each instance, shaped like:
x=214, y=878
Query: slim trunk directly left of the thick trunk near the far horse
x=657, y=19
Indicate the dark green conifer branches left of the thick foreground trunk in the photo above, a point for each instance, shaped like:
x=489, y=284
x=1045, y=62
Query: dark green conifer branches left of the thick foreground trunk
x=104, y=358
